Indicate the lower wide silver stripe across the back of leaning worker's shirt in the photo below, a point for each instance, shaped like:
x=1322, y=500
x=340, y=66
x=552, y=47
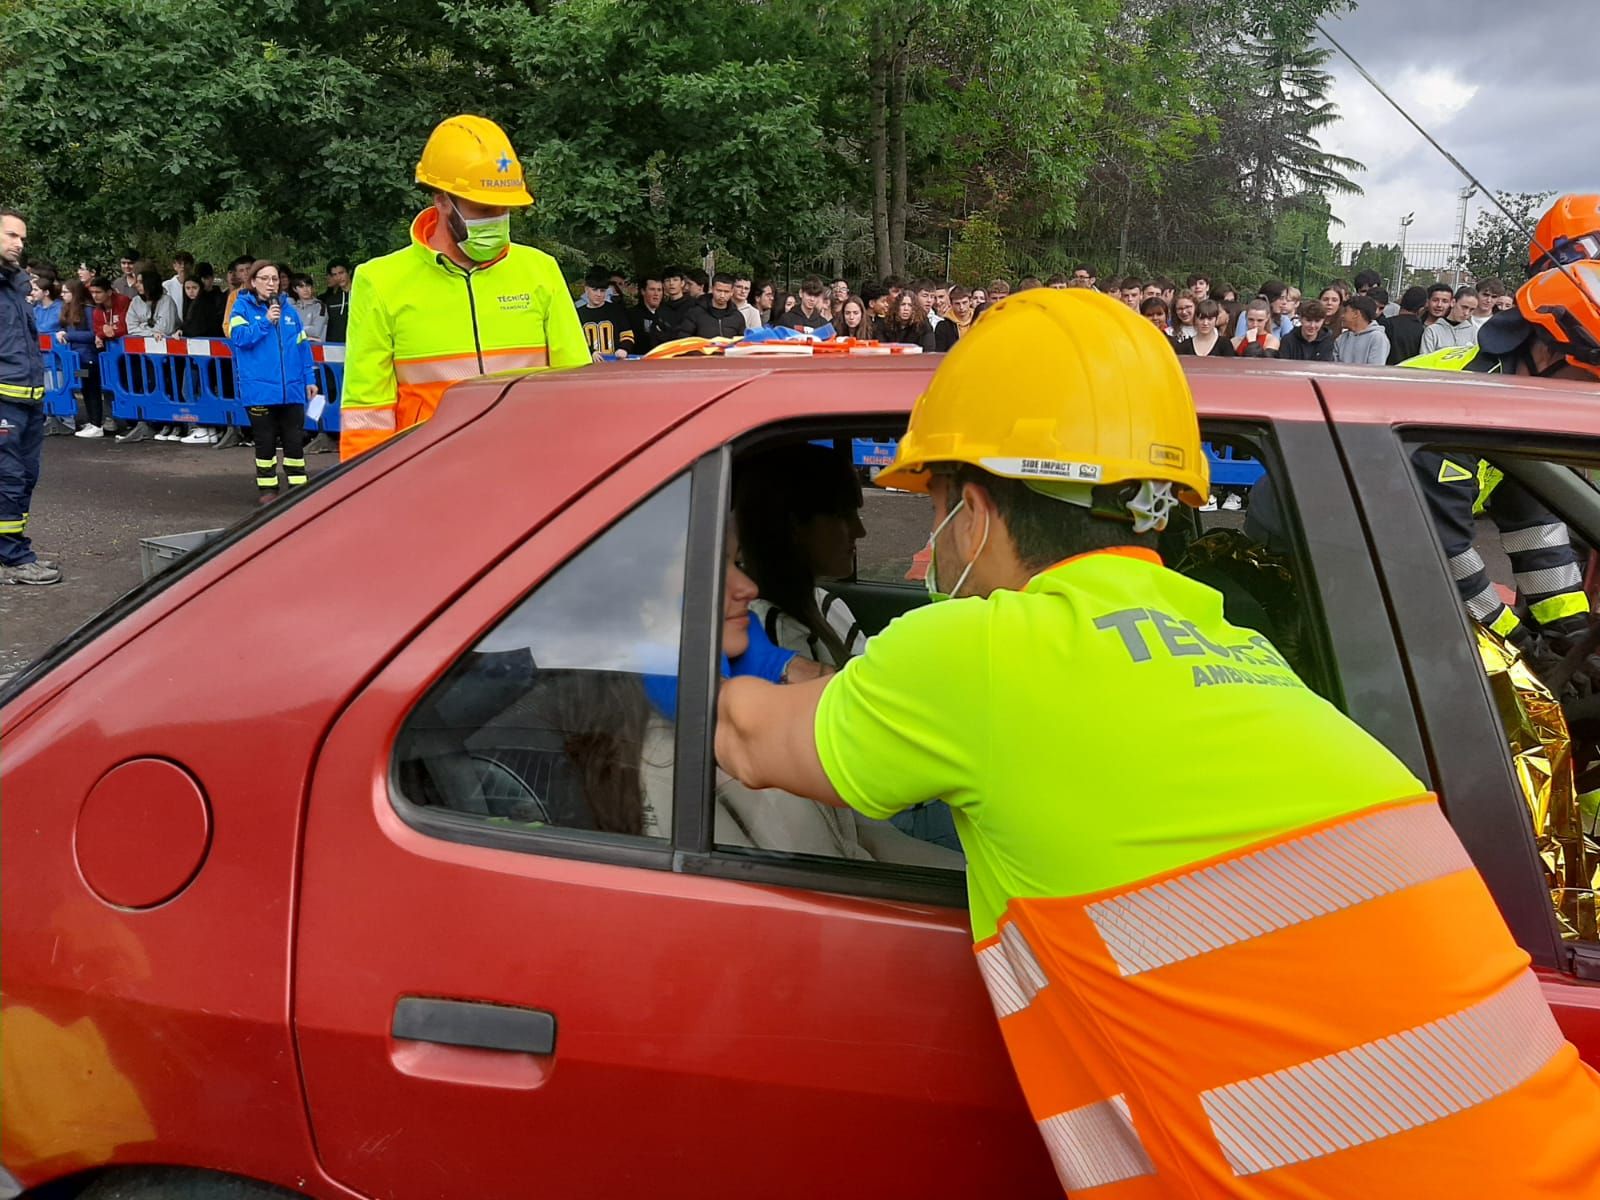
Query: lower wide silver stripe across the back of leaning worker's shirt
x=1385, y=1087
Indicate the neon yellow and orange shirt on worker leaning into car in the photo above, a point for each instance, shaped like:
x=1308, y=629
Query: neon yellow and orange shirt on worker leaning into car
x=1233, y=945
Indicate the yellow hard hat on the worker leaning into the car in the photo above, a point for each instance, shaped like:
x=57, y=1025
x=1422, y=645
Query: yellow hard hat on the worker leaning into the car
x=1058, y=386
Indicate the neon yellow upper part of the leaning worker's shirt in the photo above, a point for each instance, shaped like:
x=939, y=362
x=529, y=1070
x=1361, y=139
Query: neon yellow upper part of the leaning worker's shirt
x=1100, y=727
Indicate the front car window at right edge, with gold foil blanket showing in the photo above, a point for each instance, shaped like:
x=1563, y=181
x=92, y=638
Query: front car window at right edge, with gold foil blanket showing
x=1519, y=535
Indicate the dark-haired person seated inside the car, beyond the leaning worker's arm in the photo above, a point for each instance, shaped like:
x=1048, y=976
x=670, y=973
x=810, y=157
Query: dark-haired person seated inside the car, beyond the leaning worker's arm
x=799, y=518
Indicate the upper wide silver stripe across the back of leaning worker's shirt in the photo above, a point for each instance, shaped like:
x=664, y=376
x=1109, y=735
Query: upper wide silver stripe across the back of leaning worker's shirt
x=1278, y=887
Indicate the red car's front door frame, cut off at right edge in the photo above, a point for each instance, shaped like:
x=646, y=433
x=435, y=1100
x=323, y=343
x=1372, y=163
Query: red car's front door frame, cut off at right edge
x=1511, y=423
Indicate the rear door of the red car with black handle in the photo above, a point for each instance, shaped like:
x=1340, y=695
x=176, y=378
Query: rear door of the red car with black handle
x=490, y=1004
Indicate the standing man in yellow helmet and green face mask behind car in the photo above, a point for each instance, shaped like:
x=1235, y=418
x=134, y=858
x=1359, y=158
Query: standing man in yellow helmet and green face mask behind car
x=460, y=302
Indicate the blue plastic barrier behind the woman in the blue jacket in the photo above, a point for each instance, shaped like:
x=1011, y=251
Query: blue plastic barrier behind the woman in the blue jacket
x=172, y=382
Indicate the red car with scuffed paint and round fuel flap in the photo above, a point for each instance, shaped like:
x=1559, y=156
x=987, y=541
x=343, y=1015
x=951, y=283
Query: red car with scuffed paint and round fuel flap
x=335, y=910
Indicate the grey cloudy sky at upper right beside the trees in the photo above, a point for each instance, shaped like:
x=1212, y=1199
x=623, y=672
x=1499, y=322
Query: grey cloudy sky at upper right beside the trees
x=1457, y=66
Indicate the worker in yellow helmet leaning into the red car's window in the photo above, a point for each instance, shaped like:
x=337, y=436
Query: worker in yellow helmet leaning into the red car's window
x=1233, y=943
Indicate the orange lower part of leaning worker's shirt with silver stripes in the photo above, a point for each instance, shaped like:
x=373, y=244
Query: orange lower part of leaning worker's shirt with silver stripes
x=1270, y=1025
